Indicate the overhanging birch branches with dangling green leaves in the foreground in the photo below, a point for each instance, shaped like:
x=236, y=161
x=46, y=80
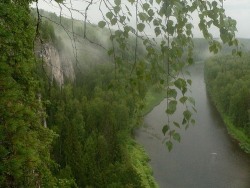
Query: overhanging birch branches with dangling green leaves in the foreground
x=160, y=58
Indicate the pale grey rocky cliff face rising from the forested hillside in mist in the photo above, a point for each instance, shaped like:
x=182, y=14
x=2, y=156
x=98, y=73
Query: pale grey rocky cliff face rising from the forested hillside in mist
x=58, y=66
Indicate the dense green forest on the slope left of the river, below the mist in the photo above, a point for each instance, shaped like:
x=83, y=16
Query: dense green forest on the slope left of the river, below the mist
x=93, y=119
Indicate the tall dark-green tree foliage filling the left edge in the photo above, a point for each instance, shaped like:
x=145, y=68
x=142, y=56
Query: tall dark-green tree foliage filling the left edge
x=25, y=143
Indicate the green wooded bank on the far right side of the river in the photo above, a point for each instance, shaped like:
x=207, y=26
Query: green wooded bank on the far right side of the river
x=228, y=83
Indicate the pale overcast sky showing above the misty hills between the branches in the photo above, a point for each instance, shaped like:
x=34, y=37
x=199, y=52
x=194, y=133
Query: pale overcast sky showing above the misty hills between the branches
x=237, y=9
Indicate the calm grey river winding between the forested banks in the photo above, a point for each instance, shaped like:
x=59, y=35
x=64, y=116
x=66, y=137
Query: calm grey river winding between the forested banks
x=206, y=157
